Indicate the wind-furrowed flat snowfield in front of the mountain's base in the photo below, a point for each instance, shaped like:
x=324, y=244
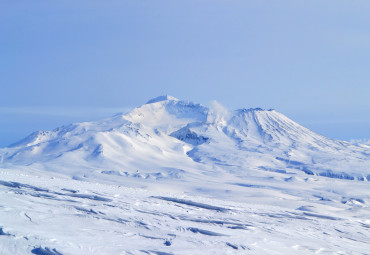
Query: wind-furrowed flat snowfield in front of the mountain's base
x=278, y=214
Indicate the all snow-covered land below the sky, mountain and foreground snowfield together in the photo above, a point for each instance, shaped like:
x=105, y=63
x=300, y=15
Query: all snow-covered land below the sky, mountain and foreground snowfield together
x=176, y=177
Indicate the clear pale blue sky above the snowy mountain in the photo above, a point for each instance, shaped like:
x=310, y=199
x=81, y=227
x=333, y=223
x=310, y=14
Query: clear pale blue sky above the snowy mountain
x=67, y=61
